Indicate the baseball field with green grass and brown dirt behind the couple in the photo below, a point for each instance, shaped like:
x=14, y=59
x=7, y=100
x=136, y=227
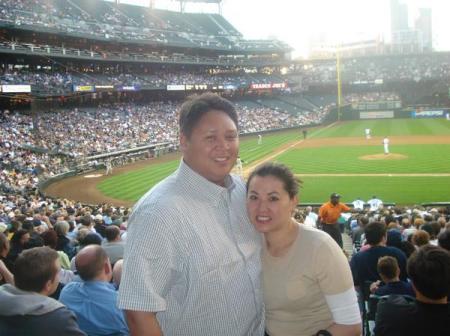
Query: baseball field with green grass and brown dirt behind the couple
x=335, y=158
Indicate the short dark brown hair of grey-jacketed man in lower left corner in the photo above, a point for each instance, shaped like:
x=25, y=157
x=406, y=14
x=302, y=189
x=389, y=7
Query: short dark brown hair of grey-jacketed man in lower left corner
x=34, y=268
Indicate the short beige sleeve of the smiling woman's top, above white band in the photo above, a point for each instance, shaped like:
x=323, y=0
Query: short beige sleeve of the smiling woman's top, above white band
x=332, y=268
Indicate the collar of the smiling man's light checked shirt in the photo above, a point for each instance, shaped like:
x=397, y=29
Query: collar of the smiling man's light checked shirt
x=202, y=187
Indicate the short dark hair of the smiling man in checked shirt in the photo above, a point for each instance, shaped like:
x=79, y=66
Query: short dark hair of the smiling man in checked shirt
x=197, y=106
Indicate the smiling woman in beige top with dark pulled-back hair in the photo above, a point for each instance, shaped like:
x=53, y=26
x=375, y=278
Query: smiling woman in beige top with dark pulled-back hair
x=307, y=282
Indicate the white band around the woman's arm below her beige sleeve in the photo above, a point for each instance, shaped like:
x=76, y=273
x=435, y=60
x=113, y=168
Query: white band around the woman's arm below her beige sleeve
x=344, y=307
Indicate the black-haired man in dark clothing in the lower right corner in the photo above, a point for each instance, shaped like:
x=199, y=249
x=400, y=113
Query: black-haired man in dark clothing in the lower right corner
x=429, y=314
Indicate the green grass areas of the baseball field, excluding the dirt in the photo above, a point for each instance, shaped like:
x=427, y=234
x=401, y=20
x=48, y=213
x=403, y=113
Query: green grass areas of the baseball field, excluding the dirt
x=420, y=159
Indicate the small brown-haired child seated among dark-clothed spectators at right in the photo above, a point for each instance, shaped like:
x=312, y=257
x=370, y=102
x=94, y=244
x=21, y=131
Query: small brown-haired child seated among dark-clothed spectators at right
x=390, y=279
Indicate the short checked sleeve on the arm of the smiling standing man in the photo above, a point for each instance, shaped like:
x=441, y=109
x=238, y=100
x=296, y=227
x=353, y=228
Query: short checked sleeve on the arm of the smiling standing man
x=151, y=262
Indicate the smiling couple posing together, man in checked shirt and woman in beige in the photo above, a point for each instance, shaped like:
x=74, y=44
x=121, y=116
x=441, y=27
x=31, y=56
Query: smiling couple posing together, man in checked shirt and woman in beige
x=197, y=264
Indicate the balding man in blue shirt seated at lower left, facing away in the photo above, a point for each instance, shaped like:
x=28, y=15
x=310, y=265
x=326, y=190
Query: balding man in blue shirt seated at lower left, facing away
x=94, y=300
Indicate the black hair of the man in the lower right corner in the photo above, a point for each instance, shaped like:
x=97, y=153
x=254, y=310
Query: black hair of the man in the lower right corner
x=429, y=270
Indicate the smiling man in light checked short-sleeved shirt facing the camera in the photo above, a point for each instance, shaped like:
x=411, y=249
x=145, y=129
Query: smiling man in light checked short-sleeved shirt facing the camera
x=192, y=258
